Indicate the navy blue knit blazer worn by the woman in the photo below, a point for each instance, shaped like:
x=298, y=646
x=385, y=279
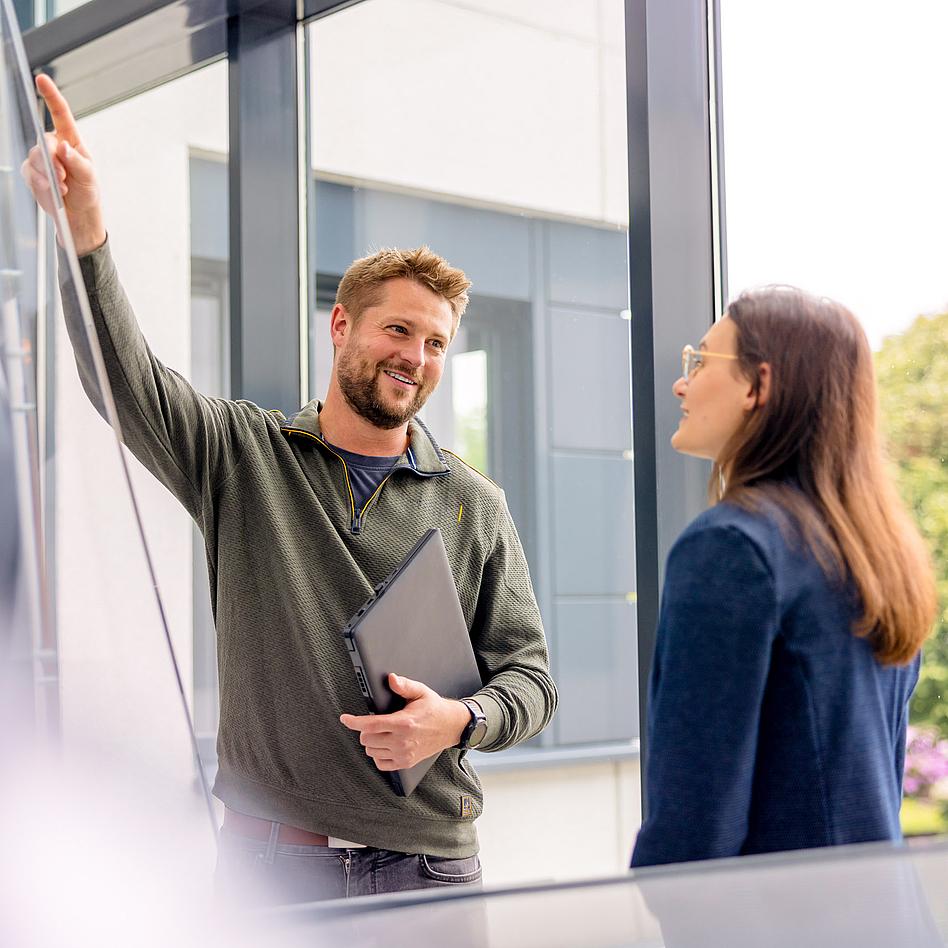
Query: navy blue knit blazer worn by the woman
x=771, y=726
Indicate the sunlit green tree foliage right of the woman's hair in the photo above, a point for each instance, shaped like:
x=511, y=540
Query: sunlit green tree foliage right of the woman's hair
x=912, y=371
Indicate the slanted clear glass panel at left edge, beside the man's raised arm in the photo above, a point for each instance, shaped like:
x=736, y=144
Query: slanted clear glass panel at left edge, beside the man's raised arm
x=99, y=768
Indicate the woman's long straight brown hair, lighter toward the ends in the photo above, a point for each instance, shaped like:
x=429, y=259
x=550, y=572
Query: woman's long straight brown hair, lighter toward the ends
x=814, y=449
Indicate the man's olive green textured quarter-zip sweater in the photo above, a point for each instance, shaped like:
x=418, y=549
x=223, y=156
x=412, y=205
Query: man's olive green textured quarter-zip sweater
x=291, y=559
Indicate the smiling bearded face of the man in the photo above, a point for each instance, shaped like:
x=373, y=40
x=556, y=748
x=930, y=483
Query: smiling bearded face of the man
x=390, y=360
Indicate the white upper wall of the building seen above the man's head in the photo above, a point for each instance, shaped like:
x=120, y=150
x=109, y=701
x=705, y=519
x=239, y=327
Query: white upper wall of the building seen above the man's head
x=514, y=104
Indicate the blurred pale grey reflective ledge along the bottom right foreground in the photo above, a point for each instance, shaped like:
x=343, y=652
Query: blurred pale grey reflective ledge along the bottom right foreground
x=868, y=896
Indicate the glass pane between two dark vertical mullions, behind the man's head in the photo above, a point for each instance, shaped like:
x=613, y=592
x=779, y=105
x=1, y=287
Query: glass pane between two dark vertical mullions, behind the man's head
x=497, y=136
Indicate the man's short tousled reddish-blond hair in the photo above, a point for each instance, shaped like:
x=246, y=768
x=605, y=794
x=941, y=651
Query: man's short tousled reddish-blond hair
x=361, y=285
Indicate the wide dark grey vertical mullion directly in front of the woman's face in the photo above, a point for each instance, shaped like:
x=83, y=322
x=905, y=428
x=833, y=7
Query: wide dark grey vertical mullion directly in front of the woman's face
x=671, y=278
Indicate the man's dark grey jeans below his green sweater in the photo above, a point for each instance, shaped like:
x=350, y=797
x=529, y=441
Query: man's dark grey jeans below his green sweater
x=271, y=873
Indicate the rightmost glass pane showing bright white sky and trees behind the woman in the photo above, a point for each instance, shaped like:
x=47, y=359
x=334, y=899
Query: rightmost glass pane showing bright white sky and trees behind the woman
x=835, y=182
